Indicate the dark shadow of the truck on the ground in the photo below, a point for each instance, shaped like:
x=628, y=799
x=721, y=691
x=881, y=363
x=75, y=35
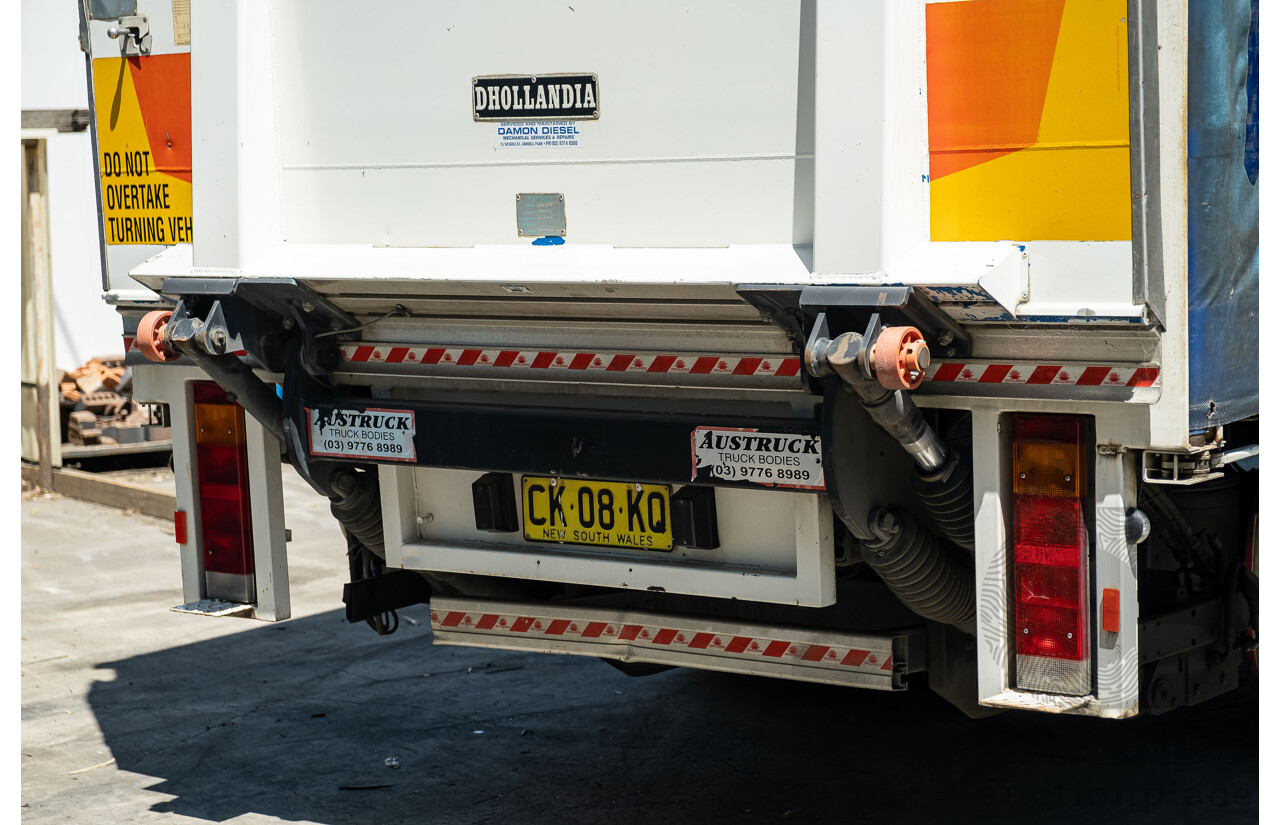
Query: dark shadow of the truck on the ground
x=296, y=722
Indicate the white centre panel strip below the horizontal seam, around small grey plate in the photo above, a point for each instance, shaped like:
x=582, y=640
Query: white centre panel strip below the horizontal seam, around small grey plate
x=644, y=204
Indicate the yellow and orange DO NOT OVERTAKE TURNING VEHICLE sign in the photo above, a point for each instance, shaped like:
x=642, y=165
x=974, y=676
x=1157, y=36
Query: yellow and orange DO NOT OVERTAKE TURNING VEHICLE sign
x=144, y=144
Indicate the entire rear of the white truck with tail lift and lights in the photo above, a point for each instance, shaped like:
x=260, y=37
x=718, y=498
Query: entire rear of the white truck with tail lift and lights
x=865, y=343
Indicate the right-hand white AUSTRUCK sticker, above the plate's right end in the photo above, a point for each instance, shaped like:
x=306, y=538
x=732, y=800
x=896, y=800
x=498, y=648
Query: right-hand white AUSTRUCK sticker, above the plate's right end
x=772, y=460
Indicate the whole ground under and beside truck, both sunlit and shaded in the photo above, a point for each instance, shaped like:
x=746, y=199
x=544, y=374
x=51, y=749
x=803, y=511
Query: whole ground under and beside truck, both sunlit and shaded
x=135, y=714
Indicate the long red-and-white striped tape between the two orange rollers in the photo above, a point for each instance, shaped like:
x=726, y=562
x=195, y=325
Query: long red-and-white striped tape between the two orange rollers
x=787, y=366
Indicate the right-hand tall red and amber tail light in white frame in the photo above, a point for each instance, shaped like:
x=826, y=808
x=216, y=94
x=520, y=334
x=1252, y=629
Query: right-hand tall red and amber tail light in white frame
x=1052, y=552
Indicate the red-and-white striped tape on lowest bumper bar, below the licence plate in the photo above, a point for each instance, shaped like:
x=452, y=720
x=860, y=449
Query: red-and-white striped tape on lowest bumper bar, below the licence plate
x=666, y=638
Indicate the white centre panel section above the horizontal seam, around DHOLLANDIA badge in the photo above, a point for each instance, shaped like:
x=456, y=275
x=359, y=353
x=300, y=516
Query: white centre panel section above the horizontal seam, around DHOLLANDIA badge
x=678, y=77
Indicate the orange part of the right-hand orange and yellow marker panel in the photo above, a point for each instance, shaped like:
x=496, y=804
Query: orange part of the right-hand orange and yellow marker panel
x=989, y=67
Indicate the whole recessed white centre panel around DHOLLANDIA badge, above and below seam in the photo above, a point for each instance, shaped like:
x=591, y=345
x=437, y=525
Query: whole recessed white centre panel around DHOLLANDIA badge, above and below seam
x=696, y=144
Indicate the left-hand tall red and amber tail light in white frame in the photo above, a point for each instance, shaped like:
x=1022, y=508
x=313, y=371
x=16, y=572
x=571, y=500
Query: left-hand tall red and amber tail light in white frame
x=222, y=474
